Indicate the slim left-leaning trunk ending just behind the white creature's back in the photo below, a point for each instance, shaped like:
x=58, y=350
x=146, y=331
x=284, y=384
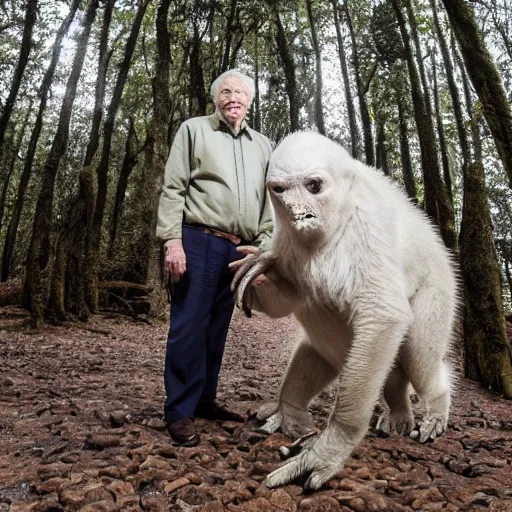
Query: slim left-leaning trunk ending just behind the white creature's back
x=437, y=202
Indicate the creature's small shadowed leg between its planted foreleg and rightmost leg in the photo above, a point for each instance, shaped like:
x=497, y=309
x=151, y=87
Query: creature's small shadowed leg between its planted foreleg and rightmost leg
x=396, y=393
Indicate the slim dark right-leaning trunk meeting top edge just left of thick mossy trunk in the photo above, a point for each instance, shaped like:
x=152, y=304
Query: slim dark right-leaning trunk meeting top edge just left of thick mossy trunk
x=94, y=236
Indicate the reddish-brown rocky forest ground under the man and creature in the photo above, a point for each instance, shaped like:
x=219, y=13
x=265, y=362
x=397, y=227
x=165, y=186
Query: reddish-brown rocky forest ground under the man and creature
x=81, y=429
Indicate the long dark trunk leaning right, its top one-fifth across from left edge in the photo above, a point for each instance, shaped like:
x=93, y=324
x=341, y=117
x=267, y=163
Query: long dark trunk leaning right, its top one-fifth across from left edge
x=39, y=249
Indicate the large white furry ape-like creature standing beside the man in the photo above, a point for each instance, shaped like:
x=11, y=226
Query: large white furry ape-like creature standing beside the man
x=370, y=281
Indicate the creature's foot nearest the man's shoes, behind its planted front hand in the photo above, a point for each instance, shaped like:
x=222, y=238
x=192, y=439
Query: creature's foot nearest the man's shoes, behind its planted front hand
x=292, y=421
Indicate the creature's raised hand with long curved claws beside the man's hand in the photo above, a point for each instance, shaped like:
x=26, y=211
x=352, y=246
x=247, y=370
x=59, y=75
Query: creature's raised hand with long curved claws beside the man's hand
x=248, y=270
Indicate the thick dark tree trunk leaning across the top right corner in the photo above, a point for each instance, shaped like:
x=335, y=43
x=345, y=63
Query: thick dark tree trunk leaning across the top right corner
x=485, y=78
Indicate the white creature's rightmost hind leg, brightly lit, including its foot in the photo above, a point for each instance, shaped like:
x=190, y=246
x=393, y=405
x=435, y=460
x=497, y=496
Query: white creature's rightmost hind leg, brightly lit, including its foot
x=422, y=360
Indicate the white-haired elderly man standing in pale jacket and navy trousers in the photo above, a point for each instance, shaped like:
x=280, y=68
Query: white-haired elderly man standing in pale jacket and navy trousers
x=213, y=209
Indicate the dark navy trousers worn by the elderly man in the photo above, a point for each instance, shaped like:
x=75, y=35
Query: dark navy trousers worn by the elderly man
x=201, y=309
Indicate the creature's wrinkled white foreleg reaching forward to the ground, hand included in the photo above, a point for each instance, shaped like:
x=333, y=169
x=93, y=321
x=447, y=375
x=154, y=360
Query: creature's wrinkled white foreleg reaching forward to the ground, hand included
x=378, y=332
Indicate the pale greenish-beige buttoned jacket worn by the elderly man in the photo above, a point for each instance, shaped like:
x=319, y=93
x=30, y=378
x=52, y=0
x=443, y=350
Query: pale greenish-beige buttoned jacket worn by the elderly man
x=216, y=178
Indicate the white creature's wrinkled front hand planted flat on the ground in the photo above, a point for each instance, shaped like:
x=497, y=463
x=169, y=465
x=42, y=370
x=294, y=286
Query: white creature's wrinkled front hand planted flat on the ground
x=321, y=456
